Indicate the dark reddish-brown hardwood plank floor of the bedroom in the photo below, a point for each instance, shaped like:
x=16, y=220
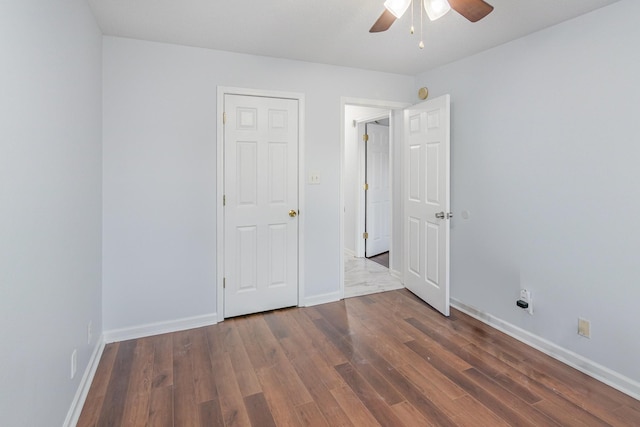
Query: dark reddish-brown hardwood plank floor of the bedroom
x=384, y=359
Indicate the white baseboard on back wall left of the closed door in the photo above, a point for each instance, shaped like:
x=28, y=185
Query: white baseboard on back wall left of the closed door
x=157, y=328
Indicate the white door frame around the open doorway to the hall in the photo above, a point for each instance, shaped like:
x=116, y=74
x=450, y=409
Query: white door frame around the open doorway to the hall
x=361, y=102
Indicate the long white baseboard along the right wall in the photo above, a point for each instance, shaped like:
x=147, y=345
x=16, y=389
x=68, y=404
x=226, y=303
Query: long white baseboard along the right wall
x=587, y=366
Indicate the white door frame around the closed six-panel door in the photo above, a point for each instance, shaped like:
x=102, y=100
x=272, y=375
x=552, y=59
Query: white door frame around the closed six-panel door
x=222, y=91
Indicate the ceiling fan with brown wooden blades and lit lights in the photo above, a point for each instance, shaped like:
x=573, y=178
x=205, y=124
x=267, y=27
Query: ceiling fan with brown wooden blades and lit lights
x=473, y=10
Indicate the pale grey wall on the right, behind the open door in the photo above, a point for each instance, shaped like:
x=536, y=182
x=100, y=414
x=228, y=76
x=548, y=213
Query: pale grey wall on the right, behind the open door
x=545, y=162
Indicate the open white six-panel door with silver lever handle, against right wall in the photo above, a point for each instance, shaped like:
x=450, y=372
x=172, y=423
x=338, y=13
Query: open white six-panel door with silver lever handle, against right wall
x=427, y=202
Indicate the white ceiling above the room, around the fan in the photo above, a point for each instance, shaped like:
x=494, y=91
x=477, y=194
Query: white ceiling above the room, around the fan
x=330, y=31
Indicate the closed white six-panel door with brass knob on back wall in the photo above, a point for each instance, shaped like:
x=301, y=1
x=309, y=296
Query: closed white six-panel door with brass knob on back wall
x=261, y=204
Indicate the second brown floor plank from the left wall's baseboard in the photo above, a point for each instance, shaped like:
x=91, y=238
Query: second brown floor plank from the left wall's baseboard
x=116, y=395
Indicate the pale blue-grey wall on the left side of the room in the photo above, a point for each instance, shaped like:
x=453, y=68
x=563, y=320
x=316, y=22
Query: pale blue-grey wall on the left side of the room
x=50, y=205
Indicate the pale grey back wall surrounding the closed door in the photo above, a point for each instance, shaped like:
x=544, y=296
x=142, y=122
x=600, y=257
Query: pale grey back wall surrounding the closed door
x=160, y=171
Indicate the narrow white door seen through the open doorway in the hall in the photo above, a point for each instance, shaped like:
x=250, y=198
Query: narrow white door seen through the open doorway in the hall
x=378, y=194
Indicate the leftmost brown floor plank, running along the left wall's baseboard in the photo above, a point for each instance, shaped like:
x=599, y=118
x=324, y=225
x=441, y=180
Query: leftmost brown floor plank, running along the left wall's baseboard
x=93, y=404
